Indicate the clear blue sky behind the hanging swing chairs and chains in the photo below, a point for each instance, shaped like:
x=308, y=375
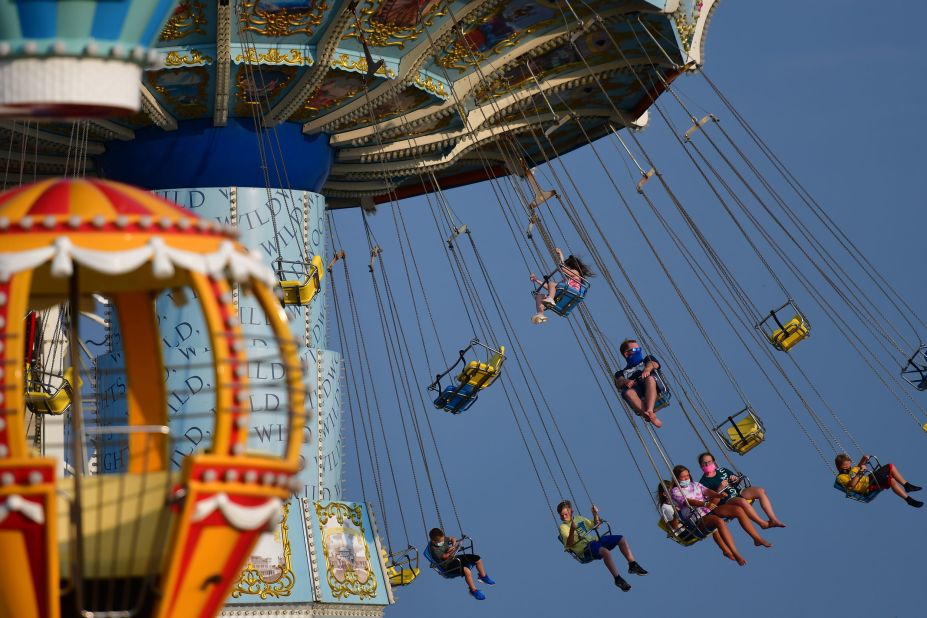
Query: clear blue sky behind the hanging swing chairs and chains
x=832, y=87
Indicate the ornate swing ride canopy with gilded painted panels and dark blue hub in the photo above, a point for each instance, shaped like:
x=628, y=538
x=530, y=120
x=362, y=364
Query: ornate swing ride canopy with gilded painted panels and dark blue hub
x=455, y=77
